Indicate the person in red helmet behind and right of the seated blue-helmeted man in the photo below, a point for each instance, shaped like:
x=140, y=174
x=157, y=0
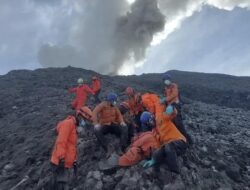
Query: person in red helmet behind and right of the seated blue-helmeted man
x=136, y=108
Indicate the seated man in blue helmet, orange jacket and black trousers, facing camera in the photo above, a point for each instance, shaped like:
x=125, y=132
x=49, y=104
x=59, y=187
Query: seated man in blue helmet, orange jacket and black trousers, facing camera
x=107, y=118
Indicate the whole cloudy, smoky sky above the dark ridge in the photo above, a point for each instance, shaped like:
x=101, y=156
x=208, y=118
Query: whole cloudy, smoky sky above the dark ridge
x=126, y=37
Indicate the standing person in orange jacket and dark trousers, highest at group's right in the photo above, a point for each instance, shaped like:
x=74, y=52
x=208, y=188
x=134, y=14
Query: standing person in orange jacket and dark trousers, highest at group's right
x=172, y=98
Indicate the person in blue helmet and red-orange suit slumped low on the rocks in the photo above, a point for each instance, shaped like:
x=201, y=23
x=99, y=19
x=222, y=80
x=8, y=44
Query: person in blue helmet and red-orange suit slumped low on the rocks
x=141, y=147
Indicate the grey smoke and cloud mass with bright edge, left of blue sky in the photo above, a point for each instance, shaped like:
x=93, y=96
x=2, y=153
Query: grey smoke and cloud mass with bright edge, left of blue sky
x=100, y=35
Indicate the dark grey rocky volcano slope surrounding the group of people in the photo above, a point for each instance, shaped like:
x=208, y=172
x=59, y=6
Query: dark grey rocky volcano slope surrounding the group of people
x=32, y=102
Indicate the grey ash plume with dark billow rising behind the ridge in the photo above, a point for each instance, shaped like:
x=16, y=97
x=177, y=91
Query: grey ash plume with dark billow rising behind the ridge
x=107, y=34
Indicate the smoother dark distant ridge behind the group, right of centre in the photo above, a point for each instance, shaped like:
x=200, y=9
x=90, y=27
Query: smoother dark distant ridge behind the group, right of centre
x=223, y=90
